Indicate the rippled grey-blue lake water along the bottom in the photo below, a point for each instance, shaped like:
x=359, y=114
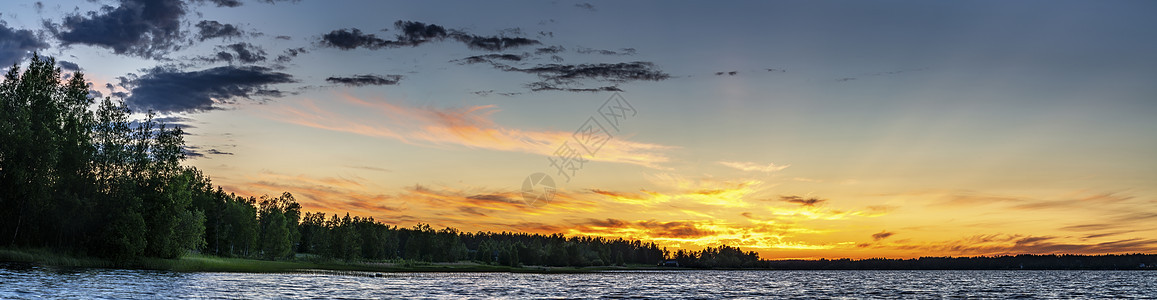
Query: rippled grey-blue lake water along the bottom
x=28, y=283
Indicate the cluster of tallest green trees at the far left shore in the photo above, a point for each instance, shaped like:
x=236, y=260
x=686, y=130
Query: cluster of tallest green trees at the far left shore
x=122, y=189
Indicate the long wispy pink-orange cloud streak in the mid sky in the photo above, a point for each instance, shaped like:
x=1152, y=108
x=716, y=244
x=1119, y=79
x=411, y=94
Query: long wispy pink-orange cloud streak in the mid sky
x=470, y=127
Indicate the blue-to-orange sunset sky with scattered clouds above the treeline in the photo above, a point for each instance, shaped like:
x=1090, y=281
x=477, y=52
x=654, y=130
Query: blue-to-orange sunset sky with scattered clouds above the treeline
x=794, y=129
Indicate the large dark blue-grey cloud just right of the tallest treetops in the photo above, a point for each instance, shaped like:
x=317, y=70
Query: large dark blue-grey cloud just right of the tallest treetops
x=171, y=91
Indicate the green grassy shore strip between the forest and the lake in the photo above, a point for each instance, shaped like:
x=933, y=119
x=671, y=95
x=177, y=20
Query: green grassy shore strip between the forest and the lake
x=301, y=264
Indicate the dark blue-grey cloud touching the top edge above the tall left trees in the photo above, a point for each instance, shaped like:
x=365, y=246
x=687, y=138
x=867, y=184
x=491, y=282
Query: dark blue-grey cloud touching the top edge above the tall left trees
x=145, y=28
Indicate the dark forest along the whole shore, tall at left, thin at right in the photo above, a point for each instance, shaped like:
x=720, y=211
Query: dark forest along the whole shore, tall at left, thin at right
x=97, y=184
